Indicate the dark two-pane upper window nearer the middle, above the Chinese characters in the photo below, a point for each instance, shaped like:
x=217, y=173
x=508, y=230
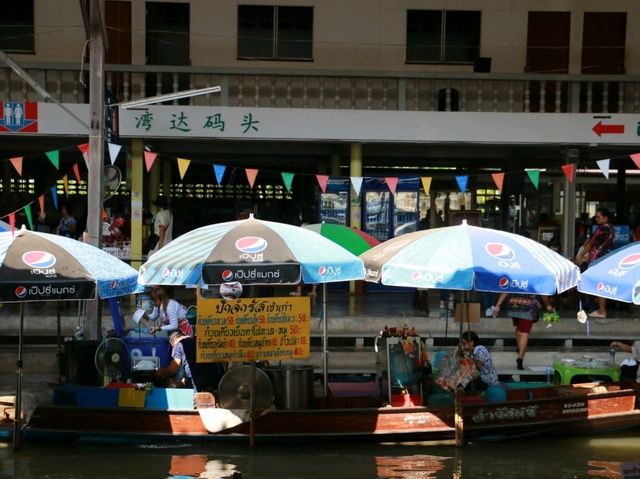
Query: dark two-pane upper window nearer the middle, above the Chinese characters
x=275, y=33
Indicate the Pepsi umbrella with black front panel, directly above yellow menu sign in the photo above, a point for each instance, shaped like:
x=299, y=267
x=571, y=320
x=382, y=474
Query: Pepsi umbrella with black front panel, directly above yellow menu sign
x=252, y=252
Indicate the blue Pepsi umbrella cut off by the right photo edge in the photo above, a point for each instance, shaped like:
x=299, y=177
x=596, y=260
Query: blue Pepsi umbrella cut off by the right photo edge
x=615, y=275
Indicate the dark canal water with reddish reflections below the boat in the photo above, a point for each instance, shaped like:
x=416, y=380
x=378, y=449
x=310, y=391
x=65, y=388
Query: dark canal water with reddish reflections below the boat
x=572, y=458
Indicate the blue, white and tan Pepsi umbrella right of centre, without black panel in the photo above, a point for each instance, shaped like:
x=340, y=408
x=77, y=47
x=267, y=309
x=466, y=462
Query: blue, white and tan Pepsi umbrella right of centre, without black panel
x=467, y=257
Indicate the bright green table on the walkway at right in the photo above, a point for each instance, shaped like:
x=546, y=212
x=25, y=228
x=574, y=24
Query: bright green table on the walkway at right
x=578, y=370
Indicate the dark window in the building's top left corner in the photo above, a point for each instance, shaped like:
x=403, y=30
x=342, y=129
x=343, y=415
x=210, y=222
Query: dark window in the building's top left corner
x=16, y=28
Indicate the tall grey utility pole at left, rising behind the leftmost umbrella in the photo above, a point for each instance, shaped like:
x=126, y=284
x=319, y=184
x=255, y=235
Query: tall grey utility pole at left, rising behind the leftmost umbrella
x=97, y=47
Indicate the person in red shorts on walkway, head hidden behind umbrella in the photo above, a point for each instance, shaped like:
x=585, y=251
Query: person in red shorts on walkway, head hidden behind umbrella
x=523, y=310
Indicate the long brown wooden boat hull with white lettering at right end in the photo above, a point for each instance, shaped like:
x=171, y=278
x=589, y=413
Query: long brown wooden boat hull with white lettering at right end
x=538, y=411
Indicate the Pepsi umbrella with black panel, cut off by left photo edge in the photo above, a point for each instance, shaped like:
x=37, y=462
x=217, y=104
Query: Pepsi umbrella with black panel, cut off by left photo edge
x=44, y=267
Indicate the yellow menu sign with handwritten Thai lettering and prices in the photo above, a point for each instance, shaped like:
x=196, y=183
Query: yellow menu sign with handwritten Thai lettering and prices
x=261, y=329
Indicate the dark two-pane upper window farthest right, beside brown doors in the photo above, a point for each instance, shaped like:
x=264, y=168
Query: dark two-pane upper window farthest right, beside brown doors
x=435, y=36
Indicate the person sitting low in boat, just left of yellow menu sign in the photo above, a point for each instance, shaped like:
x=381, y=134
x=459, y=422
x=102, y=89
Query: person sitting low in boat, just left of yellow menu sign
x=184, y=371
